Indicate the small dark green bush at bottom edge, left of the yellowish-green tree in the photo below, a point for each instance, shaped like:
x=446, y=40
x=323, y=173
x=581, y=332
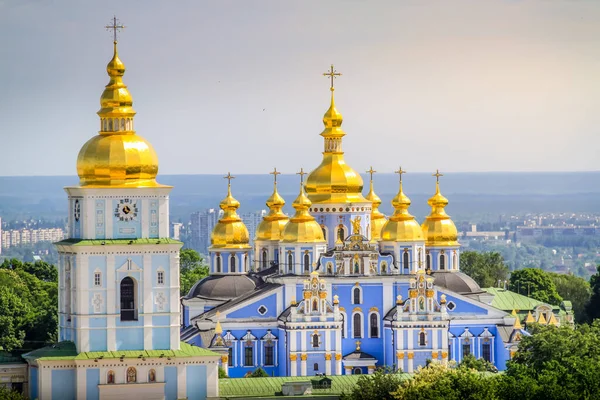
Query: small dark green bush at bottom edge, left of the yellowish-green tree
x=380, y=385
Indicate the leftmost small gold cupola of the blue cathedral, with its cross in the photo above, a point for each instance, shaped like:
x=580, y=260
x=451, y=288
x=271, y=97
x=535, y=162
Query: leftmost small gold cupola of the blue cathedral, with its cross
x=230, y=232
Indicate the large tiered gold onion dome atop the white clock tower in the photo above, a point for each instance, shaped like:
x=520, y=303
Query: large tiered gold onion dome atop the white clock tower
x=117, y=157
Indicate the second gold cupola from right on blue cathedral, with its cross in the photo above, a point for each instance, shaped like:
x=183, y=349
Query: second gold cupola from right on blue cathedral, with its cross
x=401, y=226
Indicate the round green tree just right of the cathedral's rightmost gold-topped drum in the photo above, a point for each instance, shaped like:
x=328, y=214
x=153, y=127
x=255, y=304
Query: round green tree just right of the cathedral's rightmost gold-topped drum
x=485, y=268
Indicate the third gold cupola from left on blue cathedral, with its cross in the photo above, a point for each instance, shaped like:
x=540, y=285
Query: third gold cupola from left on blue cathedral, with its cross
x=302, y=227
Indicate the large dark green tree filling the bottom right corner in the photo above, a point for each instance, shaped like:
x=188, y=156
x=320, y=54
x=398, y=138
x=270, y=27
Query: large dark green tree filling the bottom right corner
x=555, y=363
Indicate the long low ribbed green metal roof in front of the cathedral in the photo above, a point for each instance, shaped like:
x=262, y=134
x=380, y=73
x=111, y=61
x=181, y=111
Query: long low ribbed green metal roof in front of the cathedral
x=248, y=387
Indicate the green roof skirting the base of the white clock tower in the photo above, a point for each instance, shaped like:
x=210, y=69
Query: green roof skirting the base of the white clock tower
x=67, y=351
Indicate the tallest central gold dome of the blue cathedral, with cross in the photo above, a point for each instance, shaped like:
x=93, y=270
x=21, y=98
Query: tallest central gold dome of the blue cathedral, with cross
x=333, y=181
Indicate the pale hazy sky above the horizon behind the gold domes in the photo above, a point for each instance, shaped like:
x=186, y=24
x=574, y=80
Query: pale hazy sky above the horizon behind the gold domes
x=462, y=85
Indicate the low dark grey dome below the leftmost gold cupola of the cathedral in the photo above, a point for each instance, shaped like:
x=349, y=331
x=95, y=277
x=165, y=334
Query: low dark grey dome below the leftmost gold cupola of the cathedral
x=222, y=287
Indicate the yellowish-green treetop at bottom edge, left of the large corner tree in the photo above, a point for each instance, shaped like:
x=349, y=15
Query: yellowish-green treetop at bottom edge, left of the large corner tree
x=439, y=381
